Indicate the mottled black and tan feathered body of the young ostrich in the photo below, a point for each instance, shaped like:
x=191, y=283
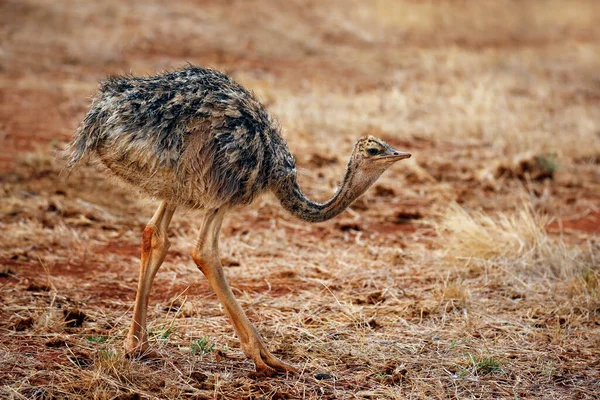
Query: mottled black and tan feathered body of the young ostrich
x=195, y=128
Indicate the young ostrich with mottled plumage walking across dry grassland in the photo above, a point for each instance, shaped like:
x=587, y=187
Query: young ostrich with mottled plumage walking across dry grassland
x=195, y=138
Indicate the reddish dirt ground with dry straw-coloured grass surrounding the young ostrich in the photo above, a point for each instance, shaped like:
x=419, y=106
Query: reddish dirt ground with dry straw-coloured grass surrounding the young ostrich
x=469, y=271
